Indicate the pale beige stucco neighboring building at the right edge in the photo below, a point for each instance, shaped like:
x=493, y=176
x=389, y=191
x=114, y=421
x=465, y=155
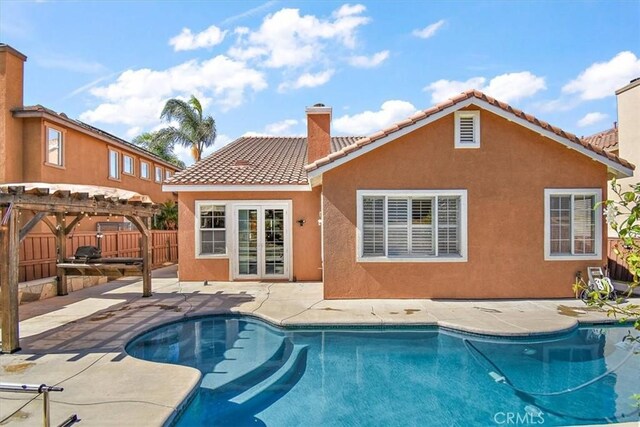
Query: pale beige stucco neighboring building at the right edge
x=628, y=100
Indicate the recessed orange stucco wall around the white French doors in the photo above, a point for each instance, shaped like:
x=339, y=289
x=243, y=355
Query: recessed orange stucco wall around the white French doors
x=305, y=239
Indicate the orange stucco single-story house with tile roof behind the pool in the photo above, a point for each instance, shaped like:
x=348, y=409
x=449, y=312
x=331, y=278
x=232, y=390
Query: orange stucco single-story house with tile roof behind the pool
x=468, y=199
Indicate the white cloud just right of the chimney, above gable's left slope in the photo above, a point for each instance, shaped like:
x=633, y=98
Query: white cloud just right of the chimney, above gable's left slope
x=370, y=121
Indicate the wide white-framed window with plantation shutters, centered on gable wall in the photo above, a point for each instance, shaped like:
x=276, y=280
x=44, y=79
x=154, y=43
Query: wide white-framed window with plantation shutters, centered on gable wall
x=412, y=226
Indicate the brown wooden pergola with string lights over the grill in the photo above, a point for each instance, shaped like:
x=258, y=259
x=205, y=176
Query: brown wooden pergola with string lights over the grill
x=42, y=202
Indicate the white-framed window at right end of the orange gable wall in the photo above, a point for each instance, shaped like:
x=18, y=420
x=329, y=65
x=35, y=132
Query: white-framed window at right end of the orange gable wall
x=572, y=224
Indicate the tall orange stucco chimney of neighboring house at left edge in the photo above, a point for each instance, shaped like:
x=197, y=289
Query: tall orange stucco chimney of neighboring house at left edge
x=11, y=96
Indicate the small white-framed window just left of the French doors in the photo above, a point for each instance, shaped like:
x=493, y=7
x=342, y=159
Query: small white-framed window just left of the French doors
x=211, y=230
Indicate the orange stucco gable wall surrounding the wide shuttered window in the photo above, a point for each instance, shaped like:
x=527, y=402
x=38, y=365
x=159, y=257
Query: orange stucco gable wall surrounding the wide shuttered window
x=505, y=181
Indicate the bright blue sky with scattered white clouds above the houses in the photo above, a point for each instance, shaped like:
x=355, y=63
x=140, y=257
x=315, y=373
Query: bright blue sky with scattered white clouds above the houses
x=256, y=65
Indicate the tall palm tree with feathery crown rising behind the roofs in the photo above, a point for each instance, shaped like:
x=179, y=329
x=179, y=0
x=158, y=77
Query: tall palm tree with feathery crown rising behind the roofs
x=193, y=130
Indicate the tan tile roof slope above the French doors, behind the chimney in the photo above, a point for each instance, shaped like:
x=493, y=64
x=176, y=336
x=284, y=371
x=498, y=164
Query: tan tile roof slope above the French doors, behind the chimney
x=255, y=160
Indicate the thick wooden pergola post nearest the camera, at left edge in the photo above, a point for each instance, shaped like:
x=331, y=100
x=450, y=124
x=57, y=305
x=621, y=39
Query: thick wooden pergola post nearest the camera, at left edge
x=10, y=245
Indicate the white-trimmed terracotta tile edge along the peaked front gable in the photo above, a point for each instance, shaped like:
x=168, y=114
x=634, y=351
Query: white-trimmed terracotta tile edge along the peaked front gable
x=421, y=115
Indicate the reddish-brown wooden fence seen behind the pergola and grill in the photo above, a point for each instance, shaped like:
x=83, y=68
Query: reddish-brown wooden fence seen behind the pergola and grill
x=38, y=250
